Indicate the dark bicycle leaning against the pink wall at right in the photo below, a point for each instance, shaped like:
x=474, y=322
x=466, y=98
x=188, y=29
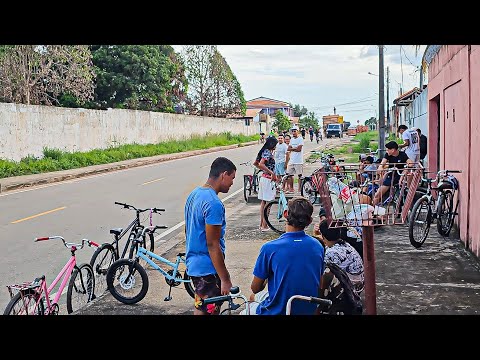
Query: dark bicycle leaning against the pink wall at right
x=429, y=208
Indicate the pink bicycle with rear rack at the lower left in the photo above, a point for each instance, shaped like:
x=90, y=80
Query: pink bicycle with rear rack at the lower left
x=34, y=298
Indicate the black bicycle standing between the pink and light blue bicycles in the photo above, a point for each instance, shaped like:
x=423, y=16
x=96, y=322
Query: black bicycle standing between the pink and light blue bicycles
x=108, y=253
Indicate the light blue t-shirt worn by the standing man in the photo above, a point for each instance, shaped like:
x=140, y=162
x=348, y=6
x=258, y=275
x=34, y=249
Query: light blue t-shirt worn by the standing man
x=203, y=206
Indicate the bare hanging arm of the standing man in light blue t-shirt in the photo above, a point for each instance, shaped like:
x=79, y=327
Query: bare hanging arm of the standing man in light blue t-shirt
x=213, y=234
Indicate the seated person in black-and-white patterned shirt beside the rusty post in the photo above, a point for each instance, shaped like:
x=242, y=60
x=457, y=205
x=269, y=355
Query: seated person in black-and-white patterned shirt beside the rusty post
x=341, y=253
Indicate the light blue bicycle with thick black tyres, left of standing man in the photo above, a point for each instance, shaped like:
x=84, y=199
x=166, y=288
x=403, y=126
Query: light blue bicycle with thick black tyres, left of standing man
x=128, y=288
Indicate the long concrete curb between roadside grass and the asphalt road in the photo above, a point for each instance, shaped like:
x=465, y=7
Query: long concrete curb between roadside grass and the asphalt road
x=19, y=182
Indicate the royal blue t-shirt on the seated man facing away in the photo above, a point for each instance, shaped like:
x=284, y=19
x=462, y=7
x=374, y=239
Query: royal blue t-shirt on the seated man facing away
x=293, y=265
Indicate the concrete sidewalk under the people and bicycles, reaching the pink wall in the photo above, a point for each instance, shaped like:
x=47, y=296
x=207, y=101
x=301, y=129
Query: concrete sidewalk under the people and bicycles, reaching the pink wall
x=439, y=278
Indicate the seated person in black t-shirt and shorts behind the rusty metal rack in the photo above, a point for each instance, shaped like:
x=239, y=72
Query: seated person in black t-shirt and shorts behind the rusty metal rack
x=393, y=157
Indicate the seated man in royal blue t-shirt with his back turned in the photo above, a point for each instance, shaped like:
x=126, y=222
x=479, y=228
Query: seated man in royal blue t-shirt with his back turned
x=290, y=265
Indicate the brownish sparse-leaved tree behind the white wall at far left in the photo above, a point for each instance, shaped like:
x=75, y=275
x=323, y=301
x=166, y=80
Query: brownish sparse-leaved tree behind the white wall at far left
x=41, y=74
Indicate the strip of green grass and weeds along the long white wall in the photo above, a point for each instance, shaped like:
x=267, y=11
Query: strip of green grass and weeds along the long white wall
x=55, y=159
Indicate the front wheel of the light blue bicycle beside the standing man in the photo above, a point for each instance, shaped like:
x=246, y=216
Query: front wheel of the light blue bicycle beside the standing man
x=127, y=281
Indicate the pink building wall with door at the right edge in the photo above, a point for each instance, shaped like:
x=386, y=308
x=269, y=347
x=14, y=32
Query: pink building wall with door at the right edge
x=454, y=133
